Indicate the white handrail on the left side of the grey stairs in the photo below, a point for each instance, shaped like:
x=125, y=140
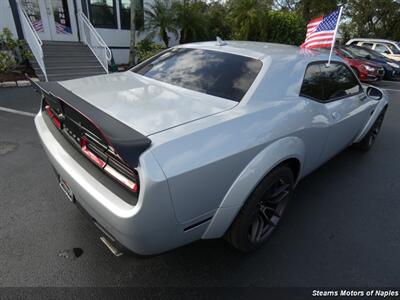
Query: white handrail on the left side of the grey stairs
x=33, y=39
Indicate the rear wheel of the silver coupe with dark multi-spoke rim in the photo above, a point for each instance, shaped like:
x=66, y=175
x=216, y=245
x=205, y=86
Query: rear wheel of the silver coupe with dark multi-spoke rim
x=262, y=211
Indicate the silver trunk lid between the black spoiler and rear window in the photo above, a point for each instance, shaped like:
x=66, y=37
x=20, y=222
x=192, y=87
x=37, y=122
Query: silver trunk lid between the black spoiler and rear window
x=146, y=105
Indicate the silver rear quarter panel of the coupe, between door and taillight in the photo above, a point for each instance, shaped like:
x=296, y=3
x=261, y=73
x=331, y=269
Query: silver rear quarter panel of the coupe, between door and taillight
x=203, y=160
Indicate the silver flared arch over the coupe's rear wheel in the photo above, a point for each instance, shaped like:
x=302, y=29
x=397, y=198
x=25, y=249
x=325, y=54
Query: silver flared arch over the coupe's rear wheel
x=270, y=157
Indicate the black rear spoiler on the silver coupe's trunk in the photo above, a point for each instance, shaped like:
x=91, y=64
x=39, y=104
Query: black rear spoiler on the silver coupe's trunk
x=127, y=142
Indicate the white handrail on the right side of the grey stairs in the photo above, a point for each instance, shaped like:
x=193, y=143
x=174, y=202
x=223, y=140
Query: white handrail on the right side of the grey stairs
x=94, y=41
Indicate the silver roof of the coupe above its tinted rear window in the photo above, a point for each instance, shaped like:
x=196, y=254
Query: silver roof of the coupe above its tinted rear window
x=261, y=50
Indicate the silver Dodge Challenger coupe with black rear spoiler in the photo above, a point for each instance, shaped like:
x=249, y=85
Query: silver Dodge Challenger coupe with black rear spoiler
x=202, y=141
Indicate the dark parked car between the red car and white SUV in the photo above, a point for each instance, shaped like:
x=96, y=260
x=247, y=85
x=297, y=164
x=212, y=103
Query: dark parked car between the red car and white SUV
x=392, y=68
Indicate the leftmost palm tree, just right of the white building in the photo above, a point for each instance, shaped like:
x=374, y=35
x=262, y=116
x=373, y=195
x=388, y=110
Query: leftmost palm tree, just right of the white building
x=161, y=19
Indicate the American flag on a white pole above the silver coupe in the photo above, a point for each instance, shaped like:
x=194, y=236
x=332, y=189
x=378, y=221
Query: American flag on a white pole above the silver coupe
x=321, y=31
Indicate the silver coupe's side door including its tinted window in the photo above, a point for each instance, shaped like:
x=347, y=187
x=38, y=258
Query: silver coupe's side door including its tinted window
x=346, y=106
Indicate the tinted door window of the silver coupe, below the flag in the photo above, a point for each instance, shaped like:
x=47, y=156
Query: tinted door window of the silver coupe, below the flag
x=339, y=82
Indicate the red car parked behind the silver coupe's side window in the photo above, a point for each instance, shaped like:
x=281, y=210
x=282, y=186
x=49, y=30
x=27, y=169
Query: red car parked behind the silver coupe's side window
x=366, y=71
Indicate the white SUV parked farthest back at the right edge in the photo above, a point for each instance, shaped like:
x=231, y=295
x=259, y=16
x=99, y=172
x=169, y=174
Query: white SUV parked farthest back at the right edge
x=387, y=48
